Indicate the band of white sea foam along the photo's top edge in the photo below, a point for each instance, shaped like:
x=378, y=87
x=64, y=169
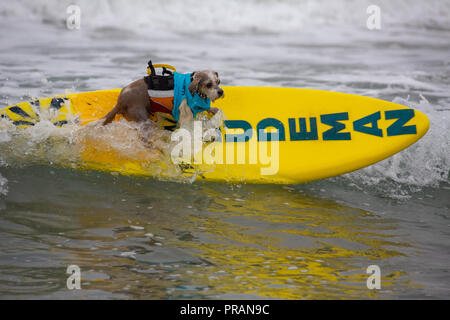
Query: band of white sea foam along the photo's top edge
x=231, y=15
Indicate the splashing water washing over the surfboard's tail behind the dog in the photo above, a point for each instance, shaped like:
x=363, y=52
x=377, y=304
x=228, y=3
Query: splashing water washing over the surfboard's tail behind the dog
x=46, y=144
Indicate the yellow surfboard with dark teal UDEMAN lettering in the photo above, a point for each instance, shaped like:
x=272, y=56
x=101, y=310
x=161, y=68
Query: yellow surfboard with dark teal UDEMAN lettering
x=271, y=135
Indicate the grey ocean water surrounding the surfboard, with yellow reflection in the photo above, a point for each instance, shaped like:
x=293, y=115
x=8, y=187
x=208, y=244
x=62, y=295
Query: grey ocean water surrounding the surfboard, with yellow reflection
x=138, y=238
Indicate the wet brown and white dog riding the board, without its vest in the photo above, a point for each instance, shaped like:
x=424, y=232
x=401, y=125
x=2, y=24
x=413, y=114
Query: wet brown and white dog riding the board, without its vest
x=134, y=100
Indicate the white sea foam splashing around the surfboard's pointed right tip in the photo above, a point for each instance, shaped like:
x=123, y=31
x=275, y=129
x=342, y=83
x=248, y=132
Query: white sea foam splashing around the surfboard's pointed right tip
x=424, y=164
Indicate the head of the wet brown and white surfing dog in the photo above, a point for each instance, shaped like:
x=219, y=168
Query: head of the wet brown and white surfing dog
x=206, y=84
